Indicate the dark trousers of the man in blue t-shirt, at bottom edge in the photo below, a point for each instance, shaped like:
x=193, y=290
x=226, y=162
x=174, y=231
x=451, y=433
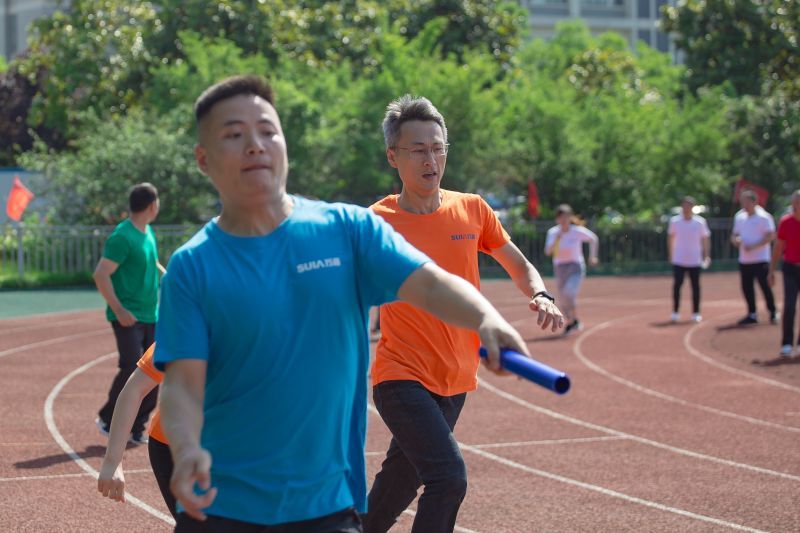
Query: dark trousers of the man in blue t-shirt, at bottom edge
x=345, y=521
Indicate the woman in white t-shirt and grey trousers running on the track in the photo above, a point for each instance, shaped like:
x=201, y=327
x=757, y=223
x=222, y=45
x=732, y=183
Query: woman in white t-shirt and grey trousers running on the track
x=564, y=243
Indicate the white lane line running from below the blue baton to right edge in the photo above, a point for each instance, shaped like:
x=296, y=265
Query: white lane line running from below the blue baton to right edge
x=641, y=440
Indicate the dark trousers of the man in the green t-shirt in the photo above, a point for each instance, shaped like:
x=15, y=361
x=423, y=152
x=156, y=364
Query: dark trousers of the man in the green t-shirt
x=131, y=344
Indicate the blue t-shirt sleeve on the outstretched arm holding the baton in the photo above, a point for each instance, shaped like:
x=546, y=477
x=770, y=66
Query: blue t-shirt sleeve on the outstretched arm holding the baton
x=384, y=258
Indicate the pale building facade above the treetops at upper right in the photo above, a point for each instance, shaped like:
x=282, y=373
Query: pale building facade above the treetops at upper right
x=636, y=20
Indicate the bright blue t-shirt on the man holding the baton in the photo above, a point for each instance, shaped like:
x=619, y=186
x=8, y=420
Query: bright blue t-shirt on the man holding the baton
x=282, y=322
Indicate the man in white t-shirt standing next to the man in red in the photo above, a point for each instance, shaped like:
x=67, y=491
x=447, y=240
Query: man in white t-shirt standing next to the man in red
x=753, y=231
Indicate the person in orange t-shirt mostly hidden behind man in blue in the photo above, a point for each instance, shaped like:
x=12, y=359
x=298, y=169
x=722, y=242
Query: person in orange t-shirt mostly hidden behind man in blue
x=111, y=480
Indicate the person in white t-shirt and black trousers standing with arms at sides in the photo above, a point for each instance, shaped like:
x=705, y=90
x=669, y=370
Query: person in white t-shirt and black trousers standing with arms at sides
x=689, y=250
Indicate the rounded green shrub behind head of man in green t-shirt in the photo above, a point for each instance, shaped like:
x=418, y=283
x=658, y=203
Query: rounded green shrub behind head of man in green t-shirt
x=89, y=184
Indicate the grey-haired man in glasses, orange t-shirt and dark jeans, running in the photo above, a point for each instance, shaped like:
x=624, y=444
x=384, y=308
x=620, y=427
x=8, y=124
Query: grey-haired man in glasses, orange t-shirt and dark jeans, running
x=423, y=367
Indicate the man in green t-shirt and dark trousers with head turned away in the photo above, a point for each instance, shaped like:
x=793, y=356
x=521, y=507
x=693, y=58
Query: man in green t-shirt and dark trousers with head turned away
x=127, y=276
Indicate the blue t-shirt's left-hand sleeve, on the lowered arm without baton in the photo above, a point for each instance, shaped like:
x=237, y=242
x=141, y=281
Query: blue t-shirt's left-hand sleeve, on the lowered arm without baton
x=181, y=332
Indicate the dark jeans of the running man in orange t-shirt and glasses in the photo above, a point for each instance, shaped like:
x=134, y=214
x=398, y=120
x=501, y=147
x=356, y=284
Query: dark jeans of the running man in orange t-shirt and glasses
x=423, y=451
